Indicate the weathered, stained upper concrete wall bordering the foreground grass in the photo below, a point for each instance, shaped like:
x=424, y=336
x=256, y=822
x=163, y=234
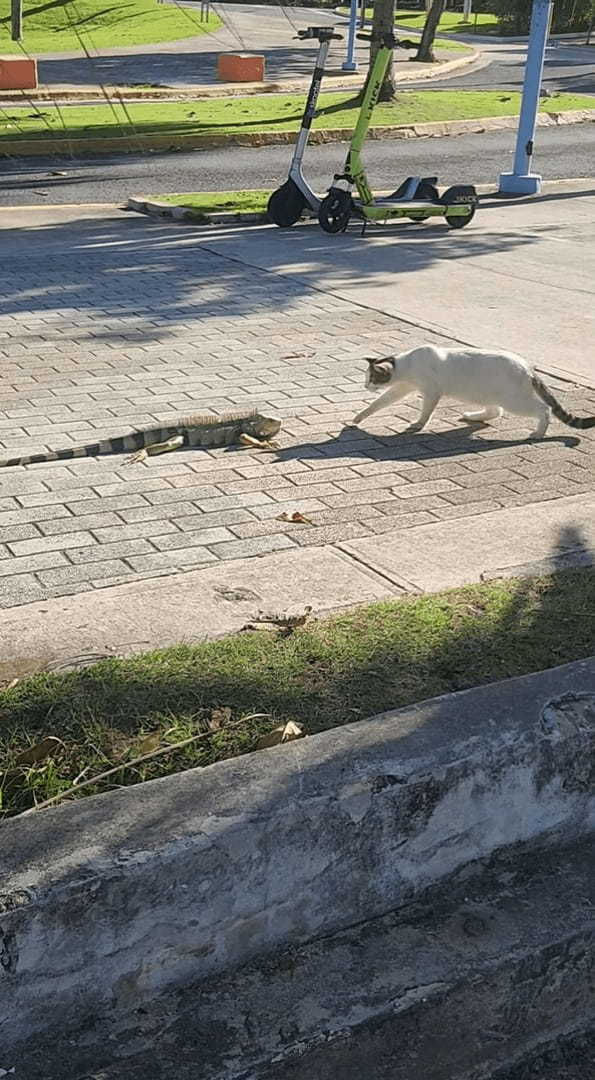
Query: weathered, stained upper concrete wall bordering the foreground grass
x=105, y=903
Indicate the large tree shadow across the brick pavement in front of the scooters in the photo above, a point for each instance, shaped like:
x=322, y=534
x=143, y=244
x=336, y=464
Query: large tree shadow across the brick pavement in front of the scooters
x=151, y=275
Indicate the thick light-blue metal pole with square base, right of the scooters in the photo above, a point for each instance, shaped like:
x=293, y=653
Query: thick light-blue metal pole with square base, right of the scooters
x=522, y=182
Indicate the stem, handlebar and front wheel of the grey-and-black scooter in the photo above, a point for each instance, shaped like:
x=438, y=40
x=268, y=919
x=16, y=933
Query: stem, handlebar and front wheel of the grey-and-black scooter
x=289, y=202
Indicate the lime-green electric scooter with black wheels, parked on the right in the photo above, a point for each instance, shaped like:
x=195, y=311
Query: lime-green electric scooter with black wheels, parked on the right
x=417, y=198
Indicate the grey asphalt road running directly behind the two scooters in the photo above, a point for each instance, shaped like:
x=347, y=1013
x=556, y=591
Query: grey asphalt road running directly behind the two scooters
x=560, y=154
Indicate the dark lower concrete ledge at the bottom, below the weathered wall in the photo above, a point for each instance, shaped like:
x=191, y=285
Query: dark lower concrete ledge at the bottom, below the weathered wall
x=486, y=948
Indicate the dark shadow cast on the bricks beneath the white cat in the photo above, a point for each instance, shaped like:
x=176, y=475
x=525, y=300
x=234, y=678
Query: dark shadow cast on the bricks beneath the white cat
x=413, y=445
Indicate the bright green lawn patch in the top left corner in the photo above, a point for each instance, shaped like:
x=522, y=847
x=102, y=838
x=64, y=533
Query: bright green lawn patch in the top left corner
x=51, y=28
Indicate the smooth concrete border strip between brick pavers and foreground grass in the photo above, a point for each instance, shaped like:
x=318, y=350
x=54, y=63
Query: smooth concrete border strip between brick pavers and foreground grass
x=223, y=599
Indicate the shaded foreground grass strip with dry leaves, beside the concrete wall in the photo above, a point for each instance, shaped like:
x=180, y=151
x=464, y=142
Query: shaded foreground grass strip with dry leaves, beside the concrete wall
x=324, y=676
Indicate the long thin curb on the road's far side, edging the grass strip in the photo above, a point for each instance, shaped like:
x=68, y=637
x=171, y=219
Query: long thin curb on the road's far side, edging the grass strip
x=136, y=144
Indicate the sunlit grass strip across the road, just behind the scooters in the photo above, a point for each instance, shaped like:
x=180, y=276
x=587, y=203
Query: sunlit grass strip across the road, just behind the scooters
x=264, y=114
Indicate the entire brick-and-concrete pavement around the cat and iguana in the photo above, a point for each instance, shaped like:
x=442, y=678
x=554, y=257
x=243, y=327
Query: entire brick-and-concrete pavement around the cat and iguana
x=110, y=321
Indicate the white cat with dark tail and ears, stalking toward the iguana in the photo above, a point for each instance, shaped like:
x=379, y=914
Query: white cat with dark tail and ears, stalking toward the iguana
x=496, y=381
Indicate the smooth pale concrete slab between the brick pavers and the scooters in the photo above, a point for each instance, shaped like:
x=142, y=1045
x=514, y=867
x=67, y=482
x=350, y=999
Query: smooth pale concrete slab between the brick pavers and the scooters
x=522, y=277
